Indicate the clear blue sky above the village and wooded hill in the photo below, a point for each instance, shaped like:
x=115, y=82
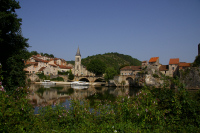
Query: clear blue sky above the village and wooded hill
x=139, y=28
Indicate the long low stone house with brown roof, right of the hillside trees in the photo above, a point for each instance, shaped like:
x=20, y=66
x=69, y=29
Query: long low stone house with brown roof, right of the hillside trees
x=130, y=70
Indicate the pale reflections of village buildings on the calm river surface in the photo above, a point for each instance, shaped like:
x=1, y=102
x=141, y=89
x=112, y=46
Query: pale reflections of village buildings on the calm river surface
x=52, y=95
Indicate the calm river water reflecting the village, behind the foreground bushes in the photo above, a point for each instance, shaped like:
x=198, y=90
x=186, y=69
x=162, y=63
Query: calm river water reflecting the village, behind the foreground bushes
x=62, y=94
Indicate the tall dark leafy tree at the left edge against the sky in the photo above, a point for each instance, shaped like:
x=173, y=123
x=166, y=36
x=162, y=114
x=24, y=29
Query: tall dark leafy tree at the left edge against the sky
x=13, y=46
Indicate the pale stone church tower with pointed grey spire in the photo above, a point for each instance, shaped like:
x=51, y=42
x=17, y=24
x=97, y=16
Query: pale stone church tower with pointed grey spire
x=77, y=67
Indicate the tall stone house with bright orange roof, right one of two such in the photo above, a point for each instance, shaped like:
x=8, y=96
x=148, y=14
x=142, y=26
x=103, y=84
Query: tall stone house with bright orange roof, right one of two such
x=173, y=67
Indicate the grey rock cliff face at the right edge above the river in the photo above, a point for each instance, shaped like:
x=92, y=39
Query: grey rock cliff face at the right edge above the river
x=191, y=78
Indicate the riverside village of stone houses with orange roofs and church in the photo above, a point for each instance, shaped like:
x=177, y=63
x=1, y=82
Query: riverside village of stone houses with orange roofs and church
x=128, y=74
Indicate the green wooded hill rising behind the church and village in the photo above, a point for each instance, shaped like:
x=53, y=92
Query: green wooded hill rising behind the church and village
x=115, y=60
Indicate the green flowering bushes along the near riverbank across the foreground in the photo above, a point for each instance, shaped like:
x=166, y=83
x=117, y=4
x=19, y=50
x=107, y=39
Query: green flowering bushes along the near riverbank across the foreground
x=151, y=110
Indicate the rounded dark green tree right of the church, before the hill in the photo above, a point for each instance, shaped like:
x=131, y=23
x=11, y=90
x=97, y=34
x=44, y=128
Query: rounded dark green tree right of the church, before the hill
x=96, y=66
